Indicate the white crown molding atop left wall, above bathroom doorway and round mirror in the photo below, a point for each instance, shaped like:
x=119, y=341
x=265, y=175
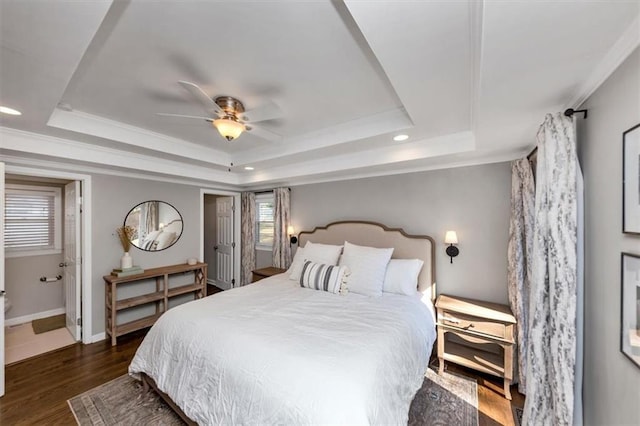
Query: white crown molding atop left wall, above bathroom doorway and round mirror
x=34, y=143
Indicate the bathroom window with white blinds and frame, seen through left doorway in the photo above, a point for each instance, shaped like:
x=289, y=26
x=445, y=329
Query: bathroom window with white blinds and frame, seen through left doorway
x=32, y=220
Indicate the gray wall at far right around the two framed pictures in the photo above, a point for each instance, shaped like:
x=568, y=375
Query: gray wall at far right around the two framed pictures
x=611, y=381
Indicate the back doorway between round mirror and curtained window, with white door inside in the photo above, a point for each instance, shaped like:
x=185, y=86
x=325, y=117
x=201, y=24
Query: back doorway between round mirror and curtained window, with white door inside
x=219, y=233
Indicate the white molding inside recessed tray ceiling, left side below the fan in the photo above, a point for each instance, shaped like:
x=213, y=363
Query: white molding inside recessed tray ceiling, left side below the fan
x=81, y=122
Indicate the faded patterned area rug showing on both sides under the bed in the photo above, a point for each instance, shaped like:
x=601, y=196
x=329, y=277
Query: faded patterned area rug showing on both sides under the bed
x=442, y=400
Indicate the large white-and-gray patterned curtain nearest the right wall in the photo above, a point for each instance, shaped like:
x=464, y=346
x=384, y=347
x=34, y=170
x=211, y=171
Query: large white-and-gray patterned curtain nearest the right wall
x=551, y=345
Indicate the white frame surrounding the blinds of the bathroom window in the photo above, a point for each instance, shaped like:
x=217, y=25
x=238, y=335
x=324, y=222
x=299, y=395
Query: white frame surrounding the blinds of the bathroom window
x=57, y=220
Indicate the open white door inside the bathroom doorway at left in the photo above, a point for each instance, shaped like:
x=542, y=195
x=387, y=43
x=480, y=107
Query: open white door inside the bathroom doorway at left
x=72, y=260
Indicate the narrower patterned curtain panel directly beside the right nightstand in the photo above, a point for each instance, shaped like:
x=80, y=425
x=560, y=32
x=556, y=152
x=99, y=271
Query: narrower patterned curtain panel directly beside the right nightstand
x=520, y=254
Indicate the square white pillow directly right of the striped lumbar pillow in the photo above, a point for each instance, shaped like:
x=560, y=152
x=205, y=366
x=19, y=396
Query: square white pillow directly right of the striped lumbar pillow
x=368, y=266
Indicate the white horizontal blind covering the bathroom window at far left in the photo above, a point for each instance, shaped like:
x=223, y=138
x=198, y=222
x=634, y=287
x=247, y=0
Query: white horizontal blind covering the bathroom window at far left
x=30, y=219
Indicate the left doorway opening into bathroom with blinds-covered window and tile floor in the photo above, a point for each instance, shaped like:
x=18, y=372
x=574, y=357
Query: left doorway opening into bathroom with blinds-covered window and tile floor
x=42, y=300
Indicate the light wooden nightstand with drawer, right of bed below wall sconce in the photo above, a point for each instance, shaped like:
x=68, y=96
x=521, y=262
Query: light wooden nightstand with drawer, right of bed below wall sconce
x=478, y=335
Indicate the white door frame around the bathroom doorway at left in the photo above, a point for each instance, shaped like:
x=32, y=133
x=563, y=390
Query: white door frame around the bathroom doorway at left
x=85, y=253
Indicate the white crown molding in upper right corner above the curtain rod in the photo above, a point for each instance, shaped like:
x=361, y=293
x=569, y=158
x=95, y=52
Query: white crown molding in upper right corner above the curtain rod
x=620, y=50
